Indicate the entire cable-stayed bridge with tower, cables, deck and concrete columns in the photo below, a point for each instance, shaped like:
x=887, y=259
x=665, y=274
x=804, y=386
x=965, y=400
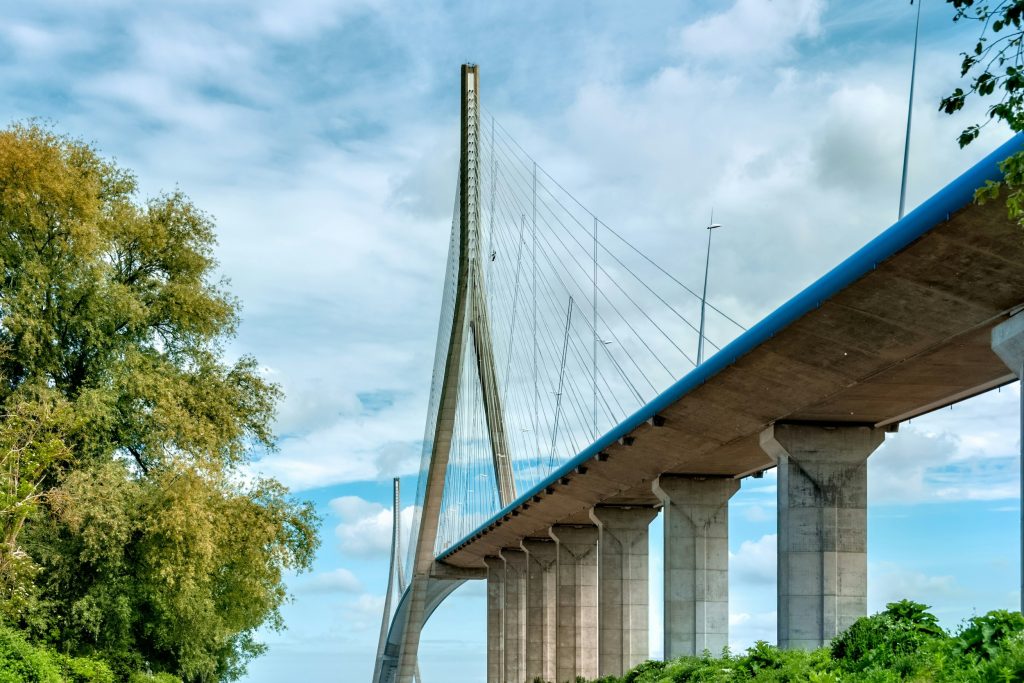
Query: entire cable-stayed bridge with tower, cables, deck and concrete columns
x=568, y=407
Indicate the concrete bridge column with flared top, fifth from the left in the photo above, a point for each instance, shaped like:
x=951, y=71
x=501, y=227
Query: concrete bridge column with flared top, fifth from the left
x=622, y=587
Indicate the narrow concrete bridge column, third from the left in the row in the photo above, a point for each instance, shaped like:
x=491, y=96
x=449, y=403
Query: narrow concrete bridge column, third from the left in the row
x=542, y=581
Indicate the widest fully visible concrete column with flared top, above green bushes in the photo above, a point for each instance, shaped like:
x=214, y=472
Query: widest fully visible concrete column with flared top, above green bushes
x=823, y=529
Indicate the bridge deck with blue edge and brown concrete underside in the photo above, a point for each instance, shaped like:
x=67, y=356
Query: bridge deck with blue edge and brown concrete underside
x=900, y=329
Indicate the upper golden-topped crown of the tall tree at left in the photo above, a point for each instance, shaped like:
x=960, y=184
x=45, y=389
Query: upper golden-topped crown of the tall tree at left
x=112, y=305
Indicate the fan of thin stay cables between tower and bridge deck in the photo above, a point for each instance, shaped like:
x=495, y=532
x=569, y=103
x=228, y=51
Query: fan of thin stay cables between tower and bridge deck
x=584, y=329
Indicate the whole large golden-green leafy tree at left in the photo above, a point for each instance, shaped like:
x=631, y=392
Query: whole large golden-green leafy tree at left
x=146, y=546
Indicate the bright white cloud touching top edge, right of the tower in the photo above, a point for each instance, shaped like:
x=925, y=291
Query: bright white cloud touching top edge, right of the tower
x=753, y=29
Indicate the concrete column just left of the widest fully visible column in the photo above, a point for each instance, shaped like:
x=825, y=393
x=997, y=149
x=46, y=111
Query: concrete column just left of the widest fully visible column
x=697, y=563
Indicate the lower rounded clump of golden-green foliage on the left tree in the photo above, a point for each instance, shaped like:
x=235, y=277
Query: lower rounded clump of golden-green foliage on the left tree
x=184, y=567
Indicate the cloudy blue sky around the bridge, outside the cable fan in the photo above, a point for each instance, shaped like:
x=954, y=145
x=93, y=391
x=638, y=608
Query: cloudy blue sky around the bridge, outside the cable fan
x=323, y=138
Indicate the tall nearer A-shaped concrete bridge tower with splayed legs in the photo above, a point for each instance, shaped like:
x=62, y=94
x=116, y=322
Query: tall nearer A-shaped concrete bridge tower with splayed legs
x=464, y=351
